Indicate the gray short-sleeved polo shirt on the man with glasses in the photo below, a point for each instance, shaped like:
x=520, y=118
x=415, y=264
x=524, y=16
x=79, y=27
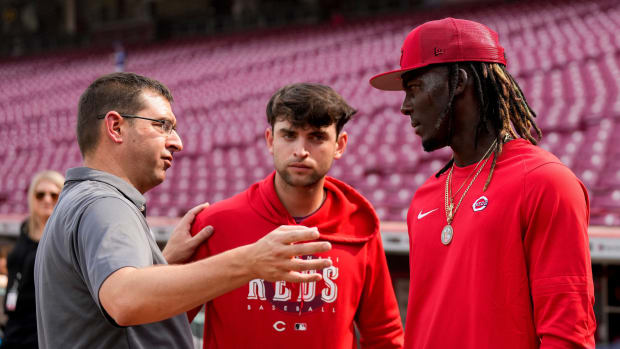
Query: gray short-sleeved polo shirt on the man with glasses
x=98, y=226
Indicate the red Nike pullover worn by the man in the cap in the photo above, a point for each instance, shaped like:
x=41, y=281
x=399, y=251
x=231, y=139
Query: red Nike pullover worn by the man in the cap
x=517, y=273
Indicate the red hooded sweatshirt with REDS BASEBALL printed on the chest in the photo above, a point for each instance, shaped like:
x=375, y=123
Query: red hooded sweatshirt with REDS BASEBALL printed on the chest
x=356, y=288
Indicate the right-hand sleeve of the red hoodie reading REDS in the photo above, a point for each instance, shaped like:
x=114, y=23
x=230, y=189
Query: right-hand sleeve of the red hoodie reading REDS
x=378, y=317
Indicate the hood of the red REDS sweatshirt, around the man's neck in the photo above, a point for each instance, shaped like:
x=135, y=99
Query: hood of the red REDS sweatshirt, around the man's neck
x=345, y=216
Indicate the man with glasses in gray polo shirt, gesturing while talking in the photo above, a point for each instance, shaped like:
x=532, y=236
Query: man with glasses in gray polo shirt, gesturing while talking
x=101, y=281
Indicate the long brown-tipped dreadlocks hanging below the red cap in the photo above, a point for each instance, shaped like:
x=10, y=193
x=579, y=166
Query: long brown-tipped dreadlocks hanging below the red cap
x=501, y=103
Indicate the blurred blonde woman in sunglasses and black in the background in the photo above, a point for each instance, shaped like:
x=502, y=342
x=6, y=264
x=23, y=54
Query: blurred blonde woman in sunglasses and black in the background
x=19, y=303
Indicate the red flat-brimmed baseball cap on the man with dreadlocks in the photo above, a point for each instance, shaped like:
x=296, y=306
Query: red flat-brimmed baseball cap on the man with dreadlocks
x=446, y=40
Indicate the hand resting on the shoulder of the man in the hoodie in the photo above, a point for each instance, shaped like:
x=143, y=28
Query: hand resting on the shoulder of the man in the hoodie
x=181, y=244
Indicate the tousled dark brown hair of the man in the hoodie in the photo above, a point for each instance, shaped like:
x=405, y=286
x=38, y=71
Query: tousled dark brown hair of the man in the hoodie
x=309, y=104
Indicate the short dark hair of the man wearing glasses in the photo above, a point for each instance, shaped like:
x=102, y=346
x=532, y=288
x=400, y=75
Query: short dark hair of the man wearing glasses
x=121, y=92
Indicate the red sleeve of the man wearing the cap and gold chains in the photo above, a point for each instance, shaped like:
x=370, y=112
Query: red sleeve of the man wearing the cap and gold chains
x=558, y=256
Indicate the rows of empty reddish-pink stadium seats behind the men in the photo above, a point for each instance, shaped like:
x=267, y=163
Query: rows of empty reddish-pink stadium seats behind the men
x=565, y=55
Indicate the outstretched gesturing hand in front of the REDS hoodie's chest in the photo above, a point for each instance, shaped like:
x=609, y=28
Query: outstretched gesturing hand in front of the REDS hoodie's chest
x=272, y=257
